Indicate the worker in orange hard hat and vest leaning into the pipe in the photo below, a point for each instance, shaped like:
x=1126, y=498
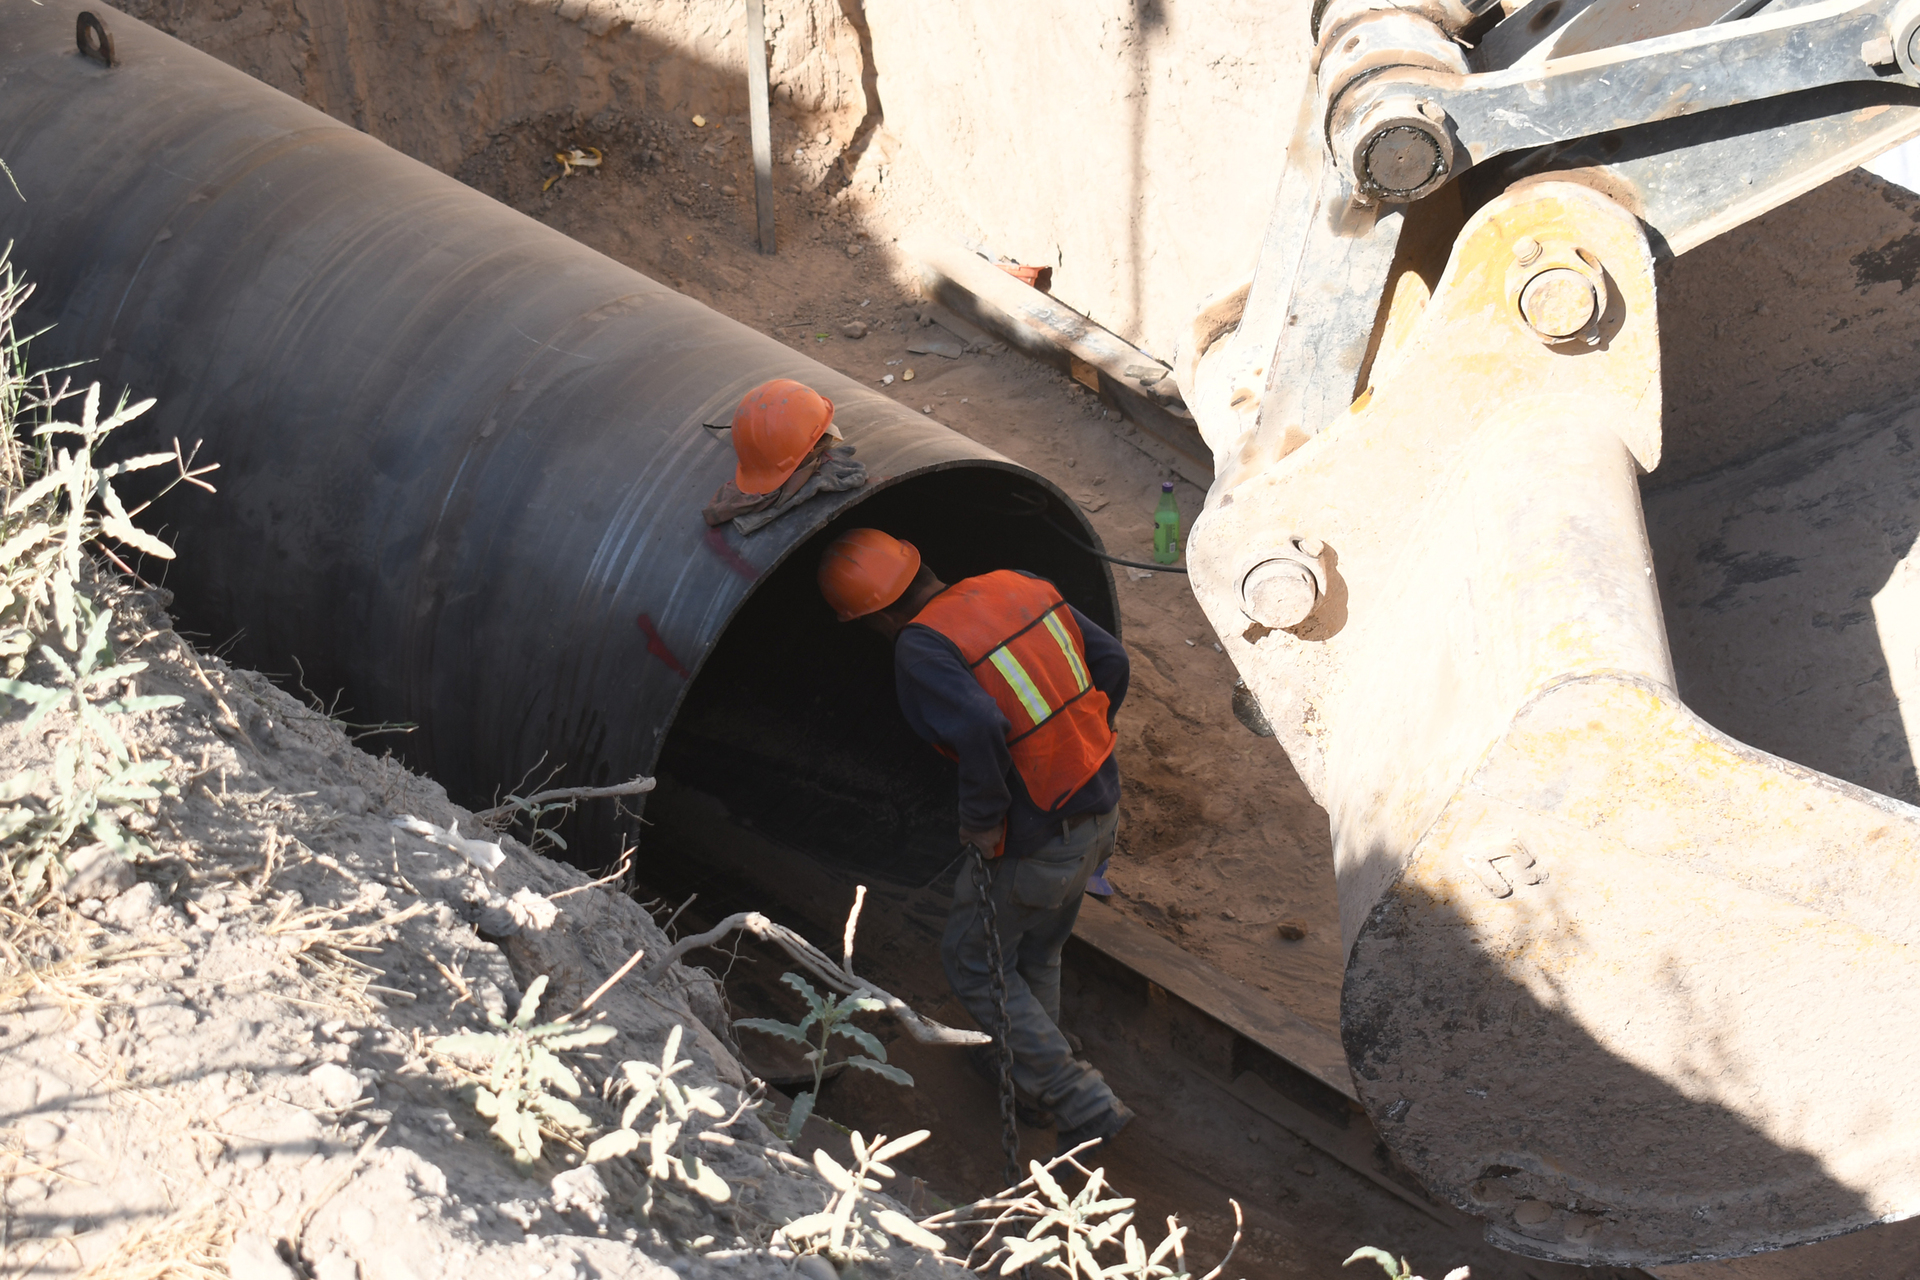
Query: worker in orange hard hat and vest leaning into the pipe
x=1020, y=690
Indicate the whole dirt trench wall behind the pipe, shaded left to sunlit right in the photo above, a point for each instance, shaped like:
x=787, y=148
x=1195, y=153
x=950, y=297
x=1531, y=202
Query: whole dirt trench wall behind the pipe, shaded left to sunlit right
x=1132, y=145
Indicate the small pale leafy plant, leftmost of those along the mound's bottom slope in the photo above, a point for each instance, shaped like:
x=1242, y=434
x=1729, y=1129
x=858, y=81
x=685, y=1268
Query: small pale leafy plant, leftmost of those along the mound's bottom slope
x=521, y=1066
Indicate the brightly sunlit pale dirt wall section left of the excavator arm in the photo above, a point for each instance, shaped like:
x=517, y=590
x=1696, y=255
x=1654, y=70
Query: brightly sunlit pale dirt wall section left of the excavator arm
x=1132, y=145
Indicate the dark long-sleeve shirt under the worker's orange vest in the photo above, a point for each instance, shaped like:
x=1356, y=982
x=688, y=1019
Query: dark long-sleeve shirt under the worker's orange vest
x=946, y=705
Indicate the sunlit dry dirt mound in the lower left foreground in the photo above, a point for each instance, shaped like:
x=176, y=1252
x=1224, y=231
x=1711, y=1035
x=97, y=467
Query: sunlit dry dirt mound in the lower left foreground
x=224, y=1056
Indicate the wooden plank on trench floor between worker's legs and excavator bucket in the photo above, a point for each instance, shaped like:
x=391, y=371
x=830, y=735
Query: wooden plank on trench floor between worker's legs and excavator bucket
x=1257, y=1016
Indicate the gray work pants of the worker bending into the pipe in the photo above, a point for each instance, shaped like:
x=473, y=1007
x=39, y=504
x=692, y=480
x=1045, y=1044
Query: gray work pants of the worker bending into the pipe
x=1036, y=903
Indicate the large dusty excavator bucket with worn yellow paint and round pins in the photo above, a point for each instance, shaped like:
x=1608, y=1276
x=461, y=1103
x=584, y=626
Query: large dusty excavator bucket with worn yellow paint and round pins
x=1629, y=989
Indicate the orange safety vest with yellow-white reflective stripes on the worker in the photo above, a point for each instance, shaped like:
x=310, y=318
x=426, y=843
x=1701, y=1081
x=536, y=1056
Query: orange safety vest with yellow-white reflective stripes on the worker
x=1020, y=642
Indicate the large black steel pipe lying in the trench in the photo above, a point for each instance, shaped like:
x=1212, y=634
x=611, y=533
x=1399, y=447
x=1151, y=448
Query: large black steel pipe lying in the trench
x=464, y=456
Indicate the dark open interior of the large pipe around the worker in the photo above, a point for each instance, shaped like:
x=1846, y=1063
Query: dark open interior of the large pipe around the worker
x=792, y=726
